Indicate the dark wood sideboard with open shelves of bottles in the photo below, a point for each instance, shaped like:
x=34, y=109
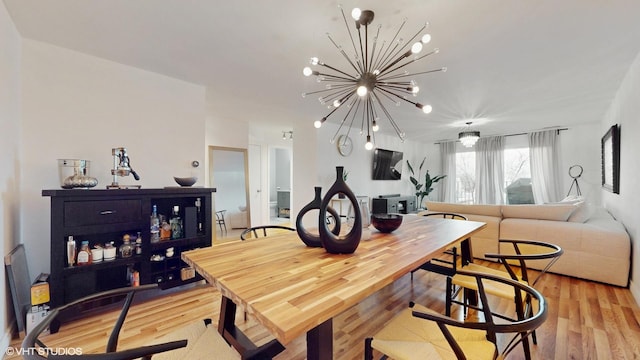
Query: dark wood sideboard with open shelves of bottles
x=103, y=216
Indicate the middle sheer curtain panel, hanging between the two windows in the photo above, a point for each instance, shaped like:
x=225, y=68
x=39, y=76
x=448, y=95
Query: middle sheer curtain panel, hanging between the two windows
x=490, y=170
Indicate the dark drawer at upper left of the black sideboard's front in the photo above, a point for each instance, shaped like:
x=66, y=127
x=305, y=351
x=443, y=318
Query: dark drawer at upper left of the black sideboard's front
x=81, y=213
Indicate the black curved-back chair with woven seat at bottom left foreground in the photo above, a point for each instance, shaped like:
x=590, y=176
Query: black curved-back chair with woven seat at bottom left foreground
x=184, y=342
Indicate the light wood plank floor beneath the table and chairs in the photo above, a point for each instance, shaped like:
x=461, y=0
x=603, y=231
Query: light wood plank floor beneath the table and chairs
x=586, y=320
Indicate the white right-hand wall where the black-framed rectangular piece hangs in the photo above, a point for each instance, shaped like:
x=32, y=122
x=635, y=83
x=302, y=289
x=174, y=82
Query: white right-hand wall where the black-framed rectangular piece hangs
x=625, y=111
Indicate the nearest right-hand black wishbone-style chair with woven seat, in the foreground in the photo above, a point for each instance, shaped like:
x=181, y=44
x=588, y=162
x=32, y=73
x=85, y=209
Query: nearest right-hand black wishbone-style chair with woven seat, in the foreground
x=421, y=333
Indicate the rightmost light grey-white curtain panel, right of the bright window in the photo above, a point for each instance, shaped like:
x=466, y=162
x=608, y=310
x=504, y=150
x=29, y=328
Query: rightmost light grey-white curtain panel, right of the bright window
x=544, y=155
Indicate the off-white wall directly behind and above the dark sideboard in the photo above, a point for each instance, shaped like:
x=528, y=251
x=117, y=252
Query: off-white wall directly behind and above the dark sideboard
x=80, y=106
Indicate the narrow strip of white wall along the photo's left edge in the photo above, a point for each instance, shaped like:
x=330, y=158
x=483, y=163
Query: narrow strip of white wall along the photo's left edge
x=10, y=157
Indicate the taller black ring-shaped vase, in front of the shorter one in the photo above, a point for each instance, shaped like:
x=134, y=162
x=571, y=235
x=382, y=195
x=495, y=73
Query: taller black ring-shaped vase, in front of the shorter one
x=340, y=244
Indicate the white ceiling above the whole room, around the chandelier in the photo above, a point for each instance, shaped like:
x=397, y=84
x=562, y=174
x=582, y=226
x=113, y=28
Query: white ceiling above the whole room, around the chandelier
x=517, y=65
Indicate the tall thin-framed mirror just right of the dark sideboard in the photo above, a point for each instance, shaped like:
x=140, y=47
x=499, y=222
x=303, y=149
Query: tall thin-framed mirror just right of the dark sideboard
x=228, y=174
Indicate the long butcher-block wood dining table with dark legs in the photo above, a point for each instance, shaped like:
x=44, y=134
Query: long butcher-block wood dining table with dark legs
x=292, y=289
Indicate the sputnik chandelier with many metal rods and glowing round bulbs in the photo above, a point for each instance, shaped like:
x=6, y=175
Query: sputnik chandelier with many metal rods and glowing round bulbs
x=376, y=77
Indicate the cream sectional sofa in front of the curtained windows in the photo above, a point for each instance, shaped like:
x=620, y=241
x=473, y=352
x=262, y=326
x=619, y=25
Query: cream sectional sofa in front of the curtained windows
x=596, y=246
